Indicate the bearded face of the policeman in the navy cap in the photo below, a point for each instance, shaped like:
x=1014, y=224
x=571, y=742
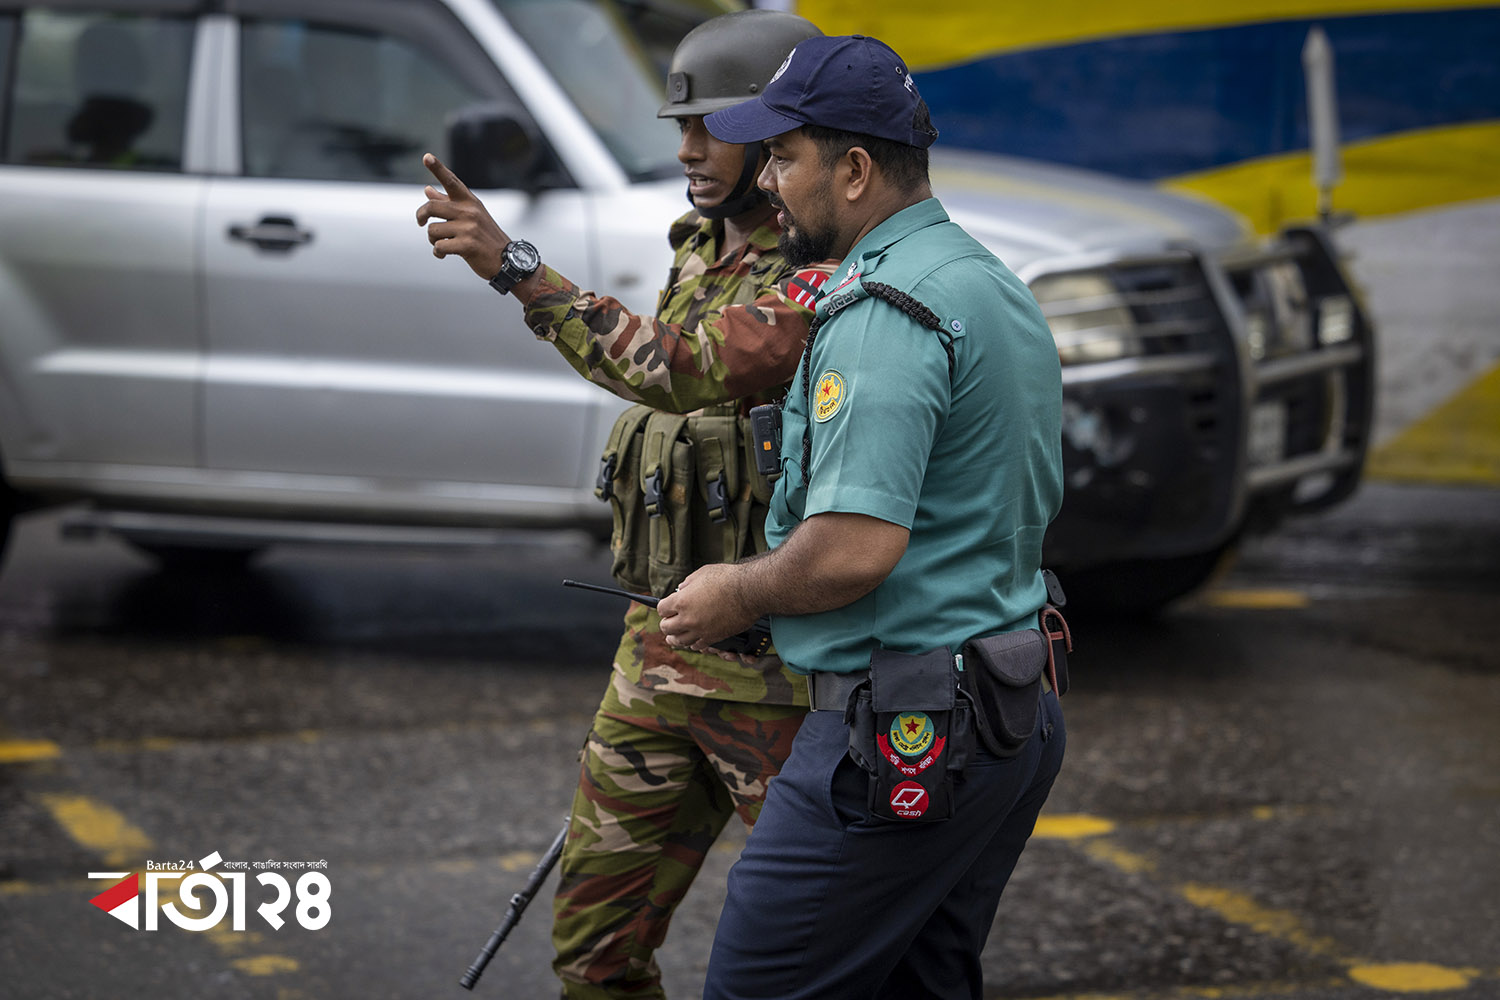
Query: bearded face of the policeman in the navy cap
x=802, y=188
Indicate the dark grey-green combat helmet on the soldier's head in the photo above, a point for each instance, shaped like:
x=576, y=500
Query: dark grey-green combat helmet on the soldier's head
x=730, y=59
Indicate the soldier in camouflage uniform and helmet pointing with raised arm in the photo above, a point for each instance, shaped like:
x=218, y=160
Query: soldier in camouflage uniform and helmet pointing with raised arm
x=682, y=740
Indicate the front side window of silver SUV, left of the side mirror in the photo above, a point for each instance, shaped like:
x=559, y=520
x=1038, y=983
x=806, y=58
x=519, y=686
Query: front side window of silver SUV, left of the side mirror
x=335, y=104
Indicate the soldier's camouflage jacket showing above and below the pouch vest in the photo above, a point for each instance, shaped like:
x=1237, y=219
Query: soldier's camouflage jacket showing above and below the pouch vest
x=728, y=329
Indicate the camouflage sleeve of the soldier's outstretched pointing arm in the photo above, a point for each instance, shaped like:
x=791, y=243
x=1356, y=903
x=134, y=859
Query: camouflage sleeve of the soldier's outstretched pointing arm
x=731, y=353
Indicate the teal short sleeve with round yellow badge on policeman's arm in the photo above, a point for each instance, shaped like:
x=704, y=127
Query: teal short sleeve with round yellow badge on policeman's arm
x=880, y=400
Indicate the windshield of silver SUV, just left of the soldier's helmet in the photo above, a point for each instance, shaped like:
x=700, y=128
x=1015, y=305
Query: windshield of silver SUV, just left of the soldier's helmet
x=595, y=53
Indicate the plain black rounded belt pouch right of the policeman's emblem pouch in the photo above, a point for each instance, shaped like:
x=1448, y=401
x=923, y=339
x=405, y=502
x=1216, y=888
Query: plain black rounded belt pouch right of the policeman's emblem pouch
x=1003, y=675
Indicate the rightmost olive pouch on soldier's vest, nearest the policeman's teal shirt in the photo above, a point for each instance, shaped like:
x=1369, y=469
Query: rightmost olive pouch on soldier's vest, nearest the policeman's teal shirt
x=721, y=509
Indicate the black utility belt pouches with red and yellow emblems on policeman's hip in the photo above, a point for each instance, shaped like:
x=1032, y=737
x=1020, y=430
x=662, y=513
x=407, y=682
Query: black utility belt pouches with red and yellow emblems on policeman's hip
x=917, y=719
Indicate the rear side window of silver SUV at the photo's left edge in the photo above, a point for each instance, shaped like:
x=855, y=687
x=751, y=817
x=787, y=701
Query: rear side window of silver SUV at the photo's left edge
x=100, y=91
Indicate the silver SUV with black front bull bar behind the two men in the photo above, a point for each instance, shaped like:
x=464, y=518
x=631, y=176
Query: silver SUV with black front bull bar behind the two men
x=221, y=328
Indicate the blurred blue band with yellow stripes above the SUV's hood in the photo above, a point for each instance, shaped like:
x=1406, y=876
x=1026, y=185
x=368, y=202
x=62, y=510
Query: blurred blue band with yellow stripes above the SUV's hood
x=1211, y=97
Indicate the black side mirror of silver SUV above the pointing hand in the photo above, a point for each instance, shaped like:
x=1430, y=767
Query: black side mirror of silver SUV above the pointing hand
x=491, y=148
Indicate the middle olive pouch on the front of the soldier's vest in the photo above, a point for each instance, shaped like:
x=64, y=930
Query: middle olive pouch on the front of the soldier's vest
x=667, y=485
